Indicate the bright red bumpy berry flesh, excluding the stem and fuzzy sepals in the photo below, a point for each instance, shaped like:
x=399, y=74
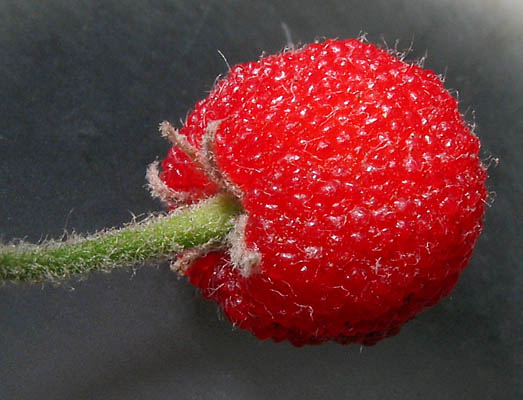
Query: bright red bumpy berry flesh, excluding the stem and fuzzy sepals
x=362, y=184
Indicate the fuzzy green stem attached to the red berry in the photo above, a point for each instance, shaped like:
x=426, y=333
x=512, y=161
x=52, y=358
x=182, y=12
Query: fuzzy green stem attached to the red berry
x=157, y=238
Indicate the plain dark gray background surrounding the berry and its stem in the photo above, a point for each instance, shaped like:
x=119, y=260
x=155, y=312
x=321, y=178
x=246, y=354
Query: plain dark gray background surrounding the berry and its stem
x=84, y=85
